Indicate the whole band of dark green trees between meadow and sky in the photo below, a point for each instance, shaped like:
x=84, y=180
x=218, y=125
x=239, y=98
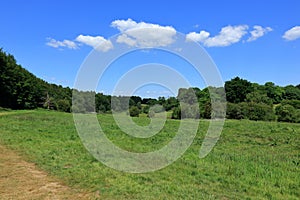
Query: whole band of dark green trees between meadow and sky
x=20, y=89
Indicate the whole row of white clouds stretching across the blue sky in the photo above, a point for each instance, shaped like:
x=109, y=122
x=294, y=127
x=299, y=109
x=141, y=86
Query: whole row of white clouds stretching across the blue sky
x=149, y=35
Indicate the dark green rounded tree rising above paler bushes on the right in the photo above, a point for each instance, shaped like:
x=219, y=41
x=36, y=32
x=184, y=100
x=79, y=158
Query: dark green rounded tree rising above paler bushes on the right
x=237, y=89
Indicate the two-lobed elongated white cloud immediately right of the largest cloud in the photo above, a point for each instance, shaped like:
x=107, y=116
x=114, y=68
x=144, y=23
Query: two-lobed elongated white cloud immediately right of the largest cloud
x=227, y=36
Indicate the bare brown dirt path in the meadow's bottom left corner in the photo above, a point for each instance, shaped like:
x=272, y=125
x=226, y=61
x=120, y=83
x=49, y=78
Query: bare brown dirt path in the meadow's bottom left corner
x=22, y=180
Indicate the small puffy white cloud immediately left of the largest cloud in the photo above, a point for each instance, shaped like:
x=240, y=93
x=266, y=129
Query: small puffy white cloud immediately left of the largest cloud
x=97, y=42
